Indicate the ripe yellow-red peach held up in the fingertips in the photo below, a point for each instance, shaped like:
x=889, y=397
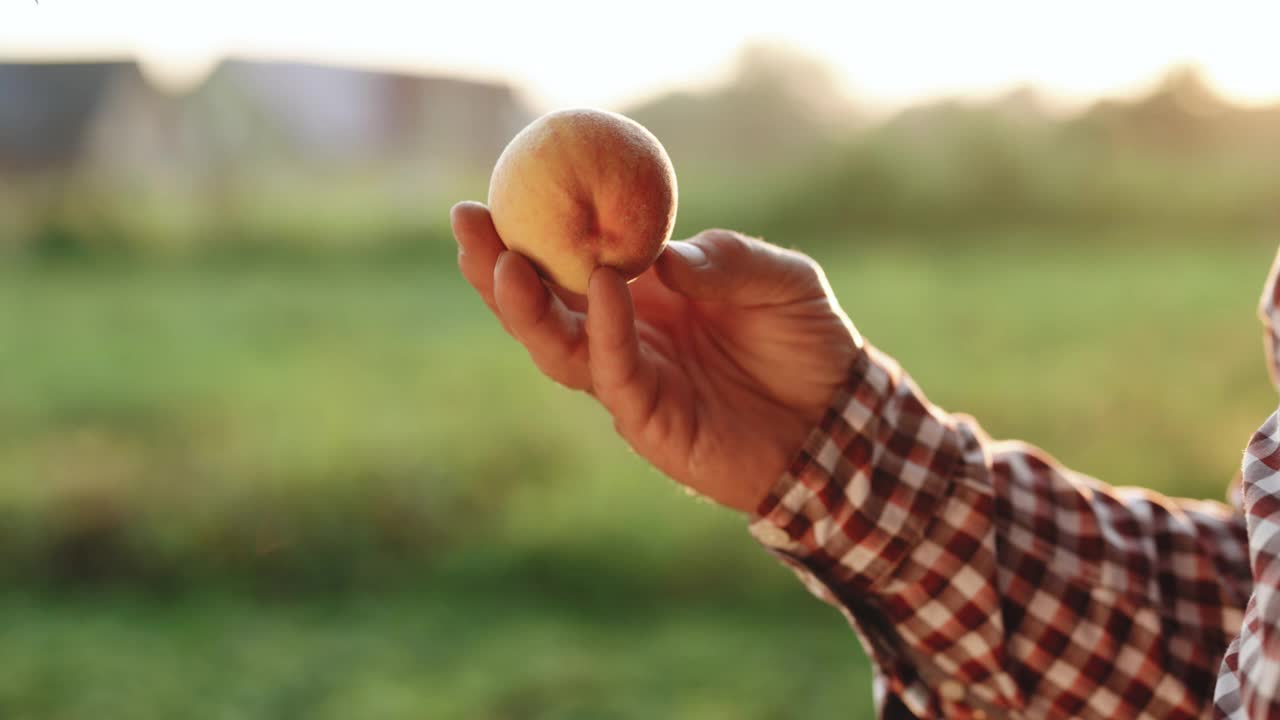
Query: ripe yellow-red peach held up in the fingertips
x=582, y=189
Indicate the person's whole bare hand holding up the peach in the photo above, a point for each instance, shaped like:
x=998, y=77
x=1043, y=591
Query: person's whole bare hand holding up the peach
x=716, y=363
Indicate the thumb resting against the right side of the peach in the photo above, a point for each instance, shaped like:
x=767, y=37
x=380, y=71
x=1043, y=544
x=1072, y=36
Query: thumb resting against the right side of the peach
x=729, y=267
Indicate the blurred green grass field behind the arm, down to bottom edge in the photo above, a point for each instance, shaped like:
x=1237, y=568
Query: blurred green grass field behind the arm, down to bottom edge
x=333, y=489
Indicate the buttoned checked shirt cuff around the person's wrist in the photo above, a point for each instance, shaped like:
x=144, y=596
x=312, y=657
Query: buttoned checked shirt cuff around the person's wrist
x=861, y=493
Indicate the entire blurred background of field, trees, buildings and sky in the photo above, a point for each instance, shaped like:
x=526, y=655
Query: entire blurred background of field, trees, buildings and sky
x=263, y=454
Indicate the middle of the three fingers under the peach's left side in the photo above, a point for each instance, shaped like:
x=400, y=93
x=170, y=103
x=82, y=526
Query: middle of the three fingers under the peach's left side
x=541, y=321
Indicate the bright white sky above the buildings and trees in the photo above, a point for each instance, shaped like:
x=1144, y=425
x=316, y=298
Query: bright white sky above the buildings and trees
x=610, y=54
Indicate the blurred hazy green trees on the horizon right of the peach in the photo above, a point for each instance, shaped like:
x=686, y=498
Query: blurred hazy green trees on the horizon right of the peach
x=1176, y=160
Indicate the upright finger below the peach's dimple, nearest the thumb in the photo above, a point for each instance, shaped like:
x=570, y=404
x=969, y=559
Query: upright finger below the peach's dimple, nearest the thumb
x=623, y=377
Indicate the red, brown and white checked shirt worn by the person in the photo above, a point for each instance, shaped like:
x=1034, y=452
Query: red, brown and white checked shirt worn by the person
x=985, y=580
